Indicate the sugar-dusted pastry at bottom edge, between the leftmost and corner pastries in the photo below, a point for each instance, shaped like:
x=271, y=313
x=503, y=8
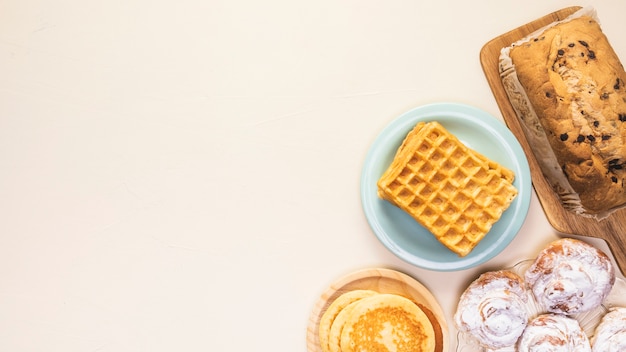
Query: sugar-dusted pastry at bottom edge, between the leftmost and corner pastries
x=553, y=333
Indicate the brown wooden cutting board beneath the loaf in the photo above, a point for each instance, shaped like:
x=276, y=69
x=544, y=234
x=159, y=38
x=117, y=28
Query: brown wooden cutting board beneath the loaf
x=611, y=229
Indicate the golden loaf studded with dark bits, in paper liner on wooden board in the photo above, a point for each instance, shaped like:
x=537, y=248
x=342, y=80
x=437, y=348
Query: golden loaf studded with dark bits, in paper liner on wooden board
x=568, y=88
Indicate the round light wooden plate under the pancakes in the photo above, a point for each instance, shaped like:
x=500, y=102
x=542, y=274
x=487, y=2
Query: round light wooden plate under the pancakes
x=383, y=281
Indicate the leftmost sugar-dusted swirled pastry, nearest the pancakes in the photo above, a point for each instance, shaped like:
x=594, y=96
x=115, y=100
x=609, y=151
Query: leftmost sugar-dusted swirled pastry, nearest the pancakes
x=493, y=309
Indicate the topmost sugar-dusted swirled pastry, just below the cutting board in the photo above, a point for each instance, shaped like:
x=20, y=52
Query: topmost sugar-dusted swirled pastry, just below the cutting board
x=570, y=276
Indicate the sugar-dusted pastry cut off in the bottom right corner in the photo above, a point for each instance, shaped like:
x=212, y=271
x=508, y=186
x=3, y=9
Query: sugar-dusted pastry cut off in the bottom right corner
x=610, y=335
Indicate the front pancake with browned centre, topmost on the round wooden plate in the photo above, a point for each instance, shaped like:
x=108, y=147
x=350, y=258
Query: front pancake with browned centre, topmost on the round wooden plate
x=386, y=322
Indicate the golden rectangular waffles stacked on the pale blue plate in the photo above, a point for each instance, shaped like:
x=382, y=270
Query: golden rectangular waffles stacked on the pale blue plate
x=453, y=191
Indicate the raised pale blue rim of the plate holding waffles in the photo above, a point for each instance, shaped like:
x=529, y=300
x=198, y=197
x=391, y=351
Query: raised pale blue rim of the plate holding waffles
x=474, y=116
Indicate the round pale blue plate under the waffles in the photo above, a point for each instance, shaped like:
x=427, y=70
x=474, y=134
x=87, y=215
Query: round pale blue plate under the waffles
x=404, y=236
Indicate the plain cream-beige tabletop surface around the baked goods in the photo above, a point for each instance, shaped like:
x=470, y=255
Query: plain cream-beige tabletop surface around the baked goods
x=184, y=175
